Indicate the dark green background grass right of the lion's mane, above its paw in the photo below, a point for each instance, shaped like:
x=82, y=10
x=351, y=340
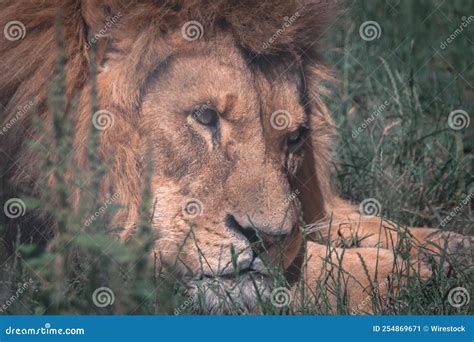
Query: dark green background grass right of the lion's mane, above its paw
x=408, y=157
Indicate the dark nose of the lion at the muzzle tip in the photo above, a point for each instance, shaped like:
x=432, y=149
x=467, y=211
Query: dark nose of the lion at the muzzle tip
x=257, y=237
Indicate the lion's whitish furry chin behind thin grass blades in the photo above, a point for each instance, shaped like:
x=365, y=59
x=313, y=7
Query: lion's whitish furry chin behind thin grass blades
x=245, y=293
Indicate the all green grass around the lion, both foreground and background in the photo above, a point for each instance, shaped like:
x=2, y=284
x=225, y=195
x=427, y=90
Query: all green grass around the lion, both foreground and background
x=406, y=157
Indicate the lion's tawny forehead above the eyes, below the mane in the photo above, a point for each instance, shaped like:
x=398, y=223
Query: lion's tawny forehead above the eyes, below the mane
x=225, y=80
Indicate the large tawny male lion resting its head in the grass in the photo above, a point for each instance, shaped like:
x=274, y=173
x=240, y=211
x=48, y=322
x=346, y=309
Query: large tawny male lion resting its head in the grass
x=225, y=100
